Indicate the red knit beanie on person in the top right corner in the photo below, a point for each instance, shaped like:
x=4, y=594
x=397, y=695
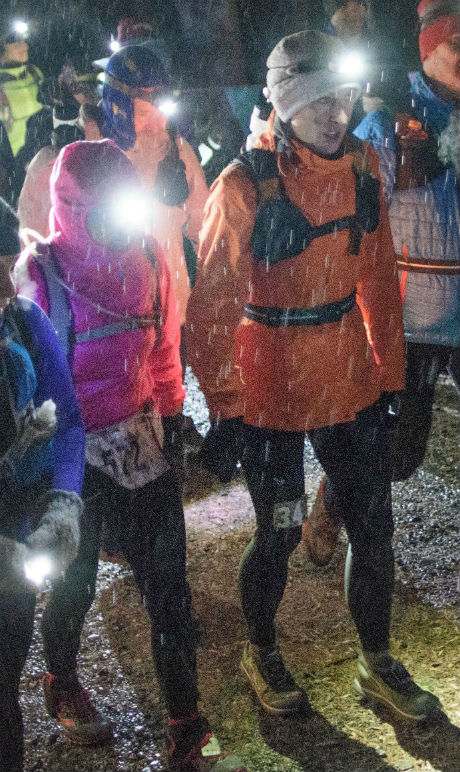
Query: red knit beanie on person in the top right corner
x=439, y=21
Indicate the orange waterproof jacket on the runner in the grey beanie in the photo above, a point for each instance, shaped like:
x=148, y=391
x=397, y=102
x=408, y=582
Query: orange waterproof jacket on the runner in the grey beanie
x=294, y=378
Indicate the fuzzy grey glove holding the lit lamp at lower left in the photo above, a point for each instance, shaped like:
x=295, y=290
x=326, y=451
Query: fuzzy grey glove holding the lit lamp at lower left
x=58, y=531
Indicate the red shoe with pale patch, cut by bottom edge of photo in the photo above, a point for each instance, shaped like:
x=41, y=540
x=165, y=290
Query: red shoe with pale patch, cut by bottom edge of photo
x=192, y=747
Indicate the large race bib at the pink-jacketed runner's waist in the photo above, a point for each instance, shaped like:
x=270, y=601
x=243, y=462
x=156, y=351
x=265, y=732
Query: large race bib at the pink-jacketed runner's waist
x=130, y=452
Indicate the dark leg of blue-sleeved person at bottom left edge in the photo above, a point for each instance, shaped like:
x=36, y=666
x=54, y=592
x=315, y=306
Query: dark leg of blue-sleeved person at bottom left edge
x=16, y=625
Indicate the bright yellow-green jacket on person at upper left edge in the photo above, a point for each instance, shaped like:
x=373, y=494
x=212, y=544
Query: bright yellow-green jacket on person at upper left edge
x=20, y=83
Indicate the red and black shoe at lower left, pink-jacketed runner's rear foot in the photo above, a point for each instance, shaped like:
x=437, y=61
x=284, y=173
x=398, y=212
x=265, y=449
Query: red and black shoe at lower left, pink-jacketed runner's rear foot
x=81, y=722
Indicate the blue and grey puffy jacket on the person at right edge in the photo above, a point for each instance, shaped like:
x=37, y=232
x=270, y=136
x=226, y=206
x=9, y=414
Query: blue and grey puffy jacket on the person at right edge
x=425, y=226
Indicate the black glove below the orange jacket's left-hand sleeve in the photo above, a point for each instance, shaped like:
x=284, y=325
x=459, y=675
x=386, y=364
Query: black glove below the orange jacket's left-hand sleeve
x=222, y=448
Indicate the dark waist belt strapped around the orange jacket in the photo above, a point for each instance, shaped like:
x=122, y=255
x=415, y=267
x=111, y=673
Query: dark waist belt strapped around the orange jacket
x=272, y=316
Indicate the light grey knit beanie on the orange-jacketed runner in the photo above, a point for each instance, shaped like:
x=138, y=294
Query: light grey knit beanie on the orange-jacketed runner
x=302, y=68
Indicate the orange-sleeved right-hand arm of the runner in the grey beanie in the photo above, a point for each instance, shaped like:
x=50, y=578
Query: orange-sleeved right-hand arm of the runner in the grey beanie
x=379, y=299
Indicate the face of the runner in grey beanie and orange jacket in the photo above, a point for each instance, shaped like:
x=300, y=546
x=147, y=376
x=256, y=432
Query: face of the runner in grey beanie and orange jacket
x=322, y=124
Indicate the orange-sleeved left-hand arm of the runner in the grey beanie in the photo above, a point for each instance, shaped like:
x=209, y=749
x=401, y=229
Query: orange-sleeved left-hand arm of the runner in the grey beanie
x=222, y=286
